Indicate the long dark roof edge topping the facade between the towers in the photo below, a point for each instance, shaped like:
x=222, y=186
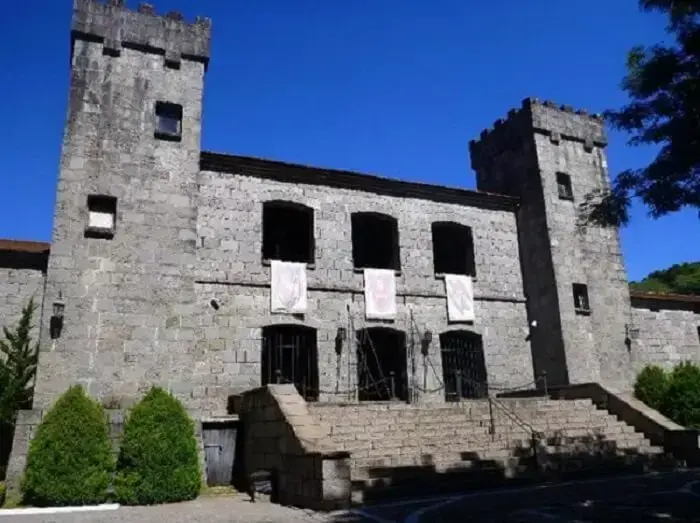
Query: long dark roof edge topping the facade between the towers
x=295, y=173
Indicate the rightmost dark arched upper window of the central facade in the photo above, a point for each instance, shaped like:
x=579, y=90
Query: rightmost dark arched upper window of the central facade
x=453, y=249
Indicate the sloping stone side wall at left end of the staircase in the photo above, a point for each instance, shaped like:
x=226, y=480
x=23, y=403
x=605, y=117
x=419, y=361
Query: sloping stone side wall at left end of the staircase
x=283, y=438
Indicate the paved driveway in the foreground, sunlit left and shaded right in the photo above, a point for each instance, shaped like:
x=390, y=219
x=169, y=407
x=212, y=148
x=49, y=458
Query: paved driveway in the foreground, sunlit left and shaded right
x=670, y=497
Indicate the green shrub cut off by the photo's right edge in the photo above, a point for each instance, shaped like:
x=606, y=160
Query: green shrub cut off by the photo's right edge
x=681, y=401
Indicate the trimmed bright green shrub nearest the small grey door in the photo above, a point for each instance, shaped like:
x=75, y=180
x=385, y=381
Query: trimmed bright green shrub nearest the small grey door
x=158, y=462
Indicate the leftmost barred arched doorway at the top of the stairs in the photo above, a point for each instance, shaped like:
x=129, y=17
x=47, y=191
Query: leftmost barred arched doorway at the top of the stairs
x=290, y=355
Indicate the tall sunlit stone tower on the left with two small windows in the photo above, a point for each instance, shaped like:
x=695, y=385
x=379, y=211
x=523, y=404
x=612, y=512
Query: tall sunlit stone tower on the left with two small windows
x=124, y=234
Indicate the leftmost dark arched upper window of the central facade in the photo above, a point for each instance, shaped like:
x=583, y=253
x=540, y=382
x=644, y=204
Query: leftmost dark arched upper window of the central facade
x=288, y=232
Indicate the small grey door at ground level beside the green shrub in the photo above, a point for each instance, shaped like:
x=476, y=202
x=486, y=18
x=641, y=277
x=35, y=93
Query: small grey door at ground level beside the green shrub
x=222, y=452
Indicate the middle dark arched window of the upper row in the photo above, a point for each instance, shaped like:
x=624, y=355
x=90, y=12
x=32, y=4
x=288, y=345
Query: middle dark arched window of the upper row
x=375, y=241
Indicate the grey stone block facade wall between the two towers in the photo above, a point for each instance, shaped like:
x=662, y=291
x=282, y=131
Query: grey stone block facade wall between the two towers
x=230, y=270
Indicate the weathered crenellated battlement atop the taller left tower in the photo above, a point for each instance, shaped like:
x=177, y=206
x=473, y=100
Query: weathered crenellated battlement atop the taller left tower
x=117, y=26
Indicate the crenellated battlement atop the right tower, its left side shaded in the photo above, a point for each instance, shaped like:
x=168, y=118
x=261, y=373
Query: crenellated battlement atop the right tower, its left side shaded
x=559, y=122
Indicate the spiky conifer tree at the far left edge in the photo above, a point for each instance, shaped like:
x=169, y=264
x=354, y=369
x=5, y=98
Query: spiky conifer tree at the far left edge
x=18, y=361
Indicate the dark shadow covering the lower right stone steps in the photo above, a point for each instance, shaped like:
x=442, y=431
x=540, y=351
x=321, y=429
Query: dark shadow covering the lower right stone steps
x=555, y=459
